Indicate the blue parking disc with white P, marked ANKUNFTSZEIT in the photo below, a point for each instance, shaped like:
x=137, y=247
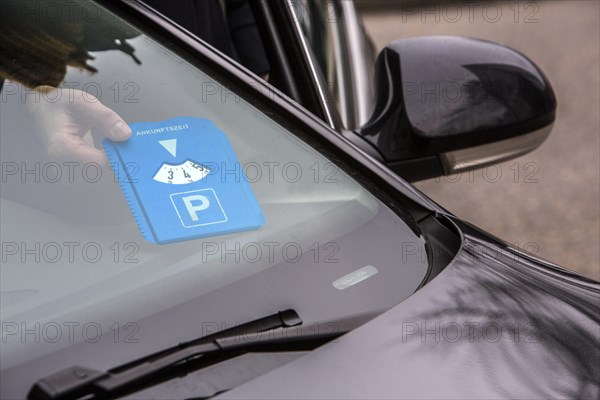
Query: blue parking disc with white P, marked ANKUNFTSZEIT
x=182, y=181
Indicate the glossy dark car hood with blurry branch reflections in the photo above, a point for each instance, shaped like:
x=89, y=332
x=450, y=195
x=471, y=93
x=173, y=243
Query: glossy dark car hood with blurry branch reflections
x=496, y=323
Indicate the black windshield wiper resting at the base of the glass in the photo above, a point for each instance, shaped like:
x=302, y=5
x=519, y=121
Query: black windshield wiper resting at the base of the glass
x=80, y=382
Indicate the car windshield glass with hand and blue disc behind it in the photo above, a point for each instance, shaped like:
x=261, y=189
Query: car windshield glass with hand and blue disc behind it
x=78, y=275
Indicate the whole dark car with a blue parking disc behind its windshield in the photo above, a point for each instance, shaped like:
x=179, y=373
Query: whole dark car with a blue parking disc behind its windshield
x=356, y=286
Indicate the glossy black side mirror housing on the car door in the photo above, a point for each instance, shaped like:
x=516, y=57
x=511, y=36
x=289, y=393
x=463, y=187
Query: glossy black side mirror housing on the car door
x=448, y=104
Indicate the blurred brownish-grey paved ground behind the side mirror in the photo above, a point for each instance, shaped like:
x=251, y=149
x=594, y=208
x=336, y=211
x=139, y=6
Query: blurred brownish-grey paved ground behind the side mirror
x=552, y=205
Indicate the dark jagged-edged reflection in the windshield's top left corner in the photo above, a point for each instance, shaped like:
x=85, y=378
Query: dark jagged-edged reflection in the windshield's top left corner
x=39, y=40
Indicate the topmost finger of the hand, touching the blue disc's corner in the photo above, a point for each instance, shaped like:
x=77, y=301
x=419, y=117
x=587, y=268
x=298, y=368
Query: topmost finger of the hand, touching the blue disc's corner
x=108, y=122
